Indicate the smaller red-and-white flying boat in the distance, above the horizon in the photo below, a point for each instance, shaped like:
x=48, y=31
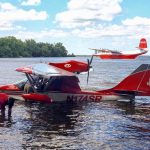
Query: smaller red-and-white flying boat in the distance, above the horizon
x=112, y=54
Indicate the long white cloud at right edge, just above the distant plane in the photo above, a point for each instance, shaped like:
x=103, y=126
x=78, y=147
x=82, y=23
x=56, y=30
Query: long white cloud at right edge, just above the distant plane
x=112, y=31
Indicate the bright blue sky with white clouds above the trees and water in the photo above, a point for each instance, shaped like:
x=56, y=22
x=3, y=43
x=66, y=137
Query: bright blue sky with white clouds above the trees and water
x=78, y=24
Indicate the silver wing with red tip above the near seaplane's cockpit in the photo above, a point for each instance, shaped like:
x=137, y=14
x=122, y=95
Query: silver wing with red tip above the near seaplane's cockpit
x=44, y=70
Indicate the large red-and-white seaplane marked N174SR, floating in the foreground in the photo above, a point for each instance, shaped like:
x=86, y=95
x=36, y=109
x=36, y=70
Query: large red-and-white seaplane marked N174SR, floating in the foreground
x=50, y=83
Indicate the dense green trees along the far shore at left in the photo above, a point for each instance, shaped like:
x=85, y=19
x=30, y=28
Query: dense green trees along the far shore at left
x=13, y=47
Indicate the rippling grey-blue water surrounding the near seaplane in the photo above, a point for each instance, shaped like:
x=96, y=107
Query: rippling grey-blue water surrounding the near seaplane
x=89, y=126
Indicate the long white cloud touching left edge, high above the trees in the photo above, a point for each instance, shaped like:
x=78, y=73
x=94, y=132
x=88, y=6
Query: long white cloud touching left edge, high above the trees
x=9, y=13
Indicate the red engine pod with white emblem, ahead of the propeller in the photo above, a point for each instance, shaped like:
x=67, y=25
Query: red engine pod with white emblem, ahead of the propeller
x=72, y=66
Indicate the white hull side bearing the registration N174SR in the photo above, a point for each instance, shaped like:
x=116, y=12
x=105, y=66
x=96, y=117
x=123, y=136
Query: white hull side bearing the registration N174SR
x=58, y=97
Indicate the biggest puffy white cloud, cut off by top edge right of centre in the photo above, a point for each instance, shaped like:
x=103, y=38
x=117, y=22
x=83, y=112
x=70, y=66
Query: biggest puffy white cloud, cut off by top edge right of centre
x=86, y=12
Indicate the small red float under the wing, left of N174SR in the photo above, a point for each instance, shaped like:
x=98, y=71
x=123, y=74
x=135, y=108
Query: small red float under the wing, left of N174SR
x=37, y=97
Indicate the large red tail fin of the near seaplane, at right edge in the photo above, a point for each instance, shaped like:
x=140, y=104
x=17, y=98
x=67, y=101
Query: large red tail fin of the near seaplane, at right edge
x=137, y=82
